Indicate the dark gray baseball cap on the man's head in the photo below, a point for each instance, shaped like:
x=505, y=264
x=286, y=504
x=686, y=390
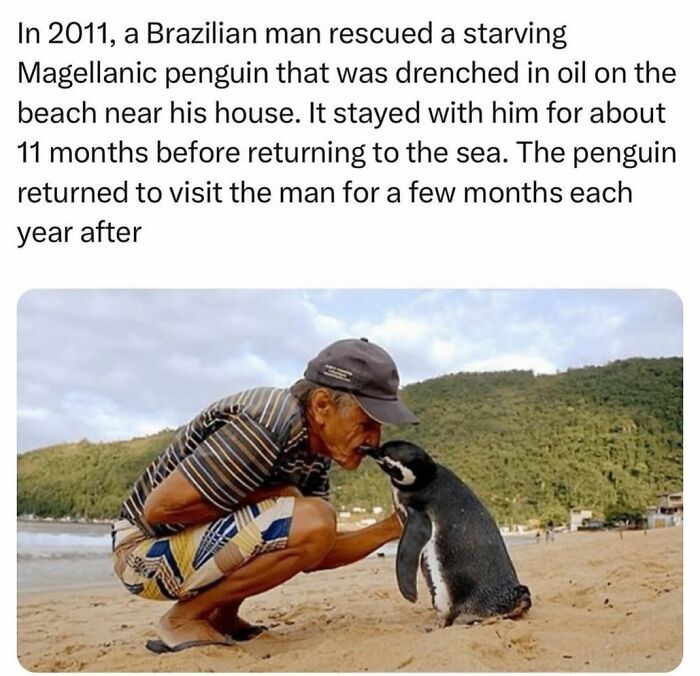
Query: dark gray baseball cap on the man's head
x=365, y=370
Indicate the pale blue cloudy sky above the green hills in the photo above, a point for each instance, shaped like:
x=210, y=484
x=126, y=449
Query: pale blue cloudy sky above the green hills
x=115, y=364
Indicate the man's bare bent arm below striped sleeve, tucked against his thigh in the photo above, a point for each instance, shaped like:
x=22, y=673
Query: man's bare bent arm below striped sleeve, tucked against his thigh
x=176, y=500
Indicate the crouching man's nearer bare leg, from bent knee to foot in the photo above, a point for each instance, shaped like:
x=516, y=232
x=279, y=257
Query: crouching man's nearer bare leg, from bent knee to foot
x=311, y=535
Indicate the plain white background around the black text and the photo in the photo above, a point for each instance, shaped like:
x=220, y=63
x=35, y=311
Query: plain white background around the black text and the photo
x=650, y=244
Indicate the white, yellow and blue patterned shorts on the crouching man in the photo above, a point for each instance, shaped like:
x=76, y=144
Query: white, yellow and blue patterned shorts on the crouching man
x=181, y=565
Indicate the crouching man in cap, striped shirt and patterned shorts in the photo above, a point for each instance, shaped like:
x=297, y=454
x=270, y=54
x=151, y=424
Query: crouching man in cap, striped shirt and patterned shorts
x=236, y=505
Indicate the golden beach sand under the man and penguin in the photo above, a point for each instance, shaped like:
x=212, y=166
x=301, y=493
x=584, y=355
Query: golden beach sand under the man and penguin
x=600, y=603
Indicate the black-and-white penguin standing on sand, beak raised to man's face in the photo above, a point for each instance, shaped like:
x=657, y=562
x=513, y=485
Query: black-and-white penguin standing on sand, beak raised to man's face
x=454, y=538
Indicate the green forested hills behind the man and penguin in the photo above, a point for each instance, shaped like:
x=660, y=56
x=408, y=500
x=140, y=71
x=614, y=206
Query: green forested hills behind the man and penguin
x=530, y=446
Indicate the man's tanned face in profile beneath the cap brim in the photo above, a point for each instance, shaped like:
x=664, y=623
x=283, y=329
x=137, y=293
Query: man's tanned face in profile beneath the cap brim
x=345, y=430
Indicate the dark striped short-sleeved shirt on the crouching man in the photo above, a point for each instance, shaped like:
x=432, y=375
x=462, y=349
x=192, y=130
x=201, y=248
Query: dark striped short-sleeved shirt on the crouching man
x=254, y=439
